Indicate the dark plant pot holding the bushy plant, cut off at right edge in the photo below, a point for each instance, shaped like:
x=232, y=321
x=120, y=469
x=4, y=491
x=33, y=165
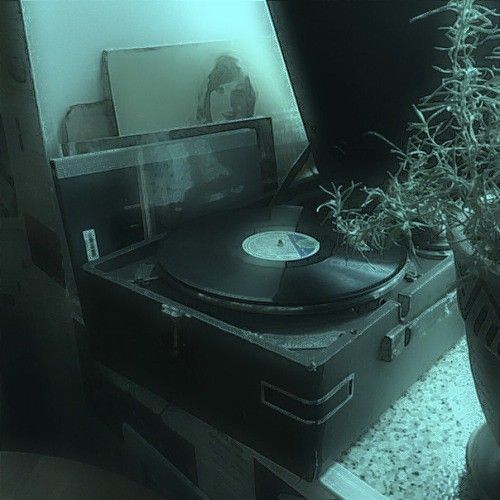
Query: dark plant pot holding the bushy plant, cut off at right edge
x=478, y=294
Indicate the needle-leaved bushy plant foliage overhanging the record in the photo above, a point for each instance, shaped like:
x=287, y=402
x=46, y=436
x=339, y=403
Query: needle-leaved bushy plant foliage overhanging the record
x=449, y=172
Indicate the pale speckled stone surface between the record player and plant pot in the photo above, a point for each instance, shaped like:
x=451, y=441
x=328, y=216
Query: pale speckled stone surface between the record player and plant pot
x=417, y=448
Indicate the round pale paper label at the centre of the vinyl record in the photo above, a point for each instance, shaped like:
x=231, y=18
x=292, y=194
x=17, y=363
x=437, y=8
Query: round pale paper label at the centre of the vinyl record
x=280, y=245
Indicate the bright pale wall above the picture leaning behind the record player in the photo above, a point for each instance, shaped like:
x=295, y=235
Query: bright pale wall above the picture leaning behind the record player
x=66, y=39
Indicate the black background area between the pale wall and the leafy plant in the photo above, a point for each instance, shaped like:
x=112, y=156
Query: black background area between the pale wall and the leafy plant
x=356, y=66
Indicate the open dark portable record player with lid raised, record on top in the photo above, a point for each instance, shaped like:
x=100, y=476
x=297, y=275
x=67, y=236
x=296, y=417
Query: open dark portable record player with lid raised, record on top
x=248, y=313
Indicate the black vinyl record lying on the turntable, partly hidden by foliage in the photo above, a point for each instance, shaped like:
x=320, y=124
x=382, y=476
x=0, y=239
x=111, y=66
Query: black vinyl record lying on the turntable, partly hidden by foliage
x=278, y=259
